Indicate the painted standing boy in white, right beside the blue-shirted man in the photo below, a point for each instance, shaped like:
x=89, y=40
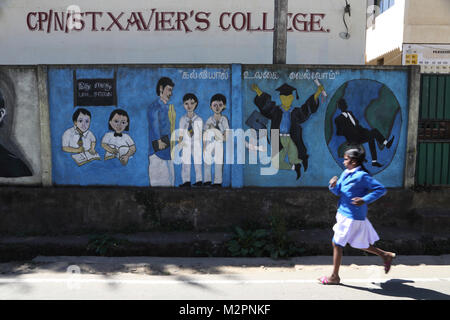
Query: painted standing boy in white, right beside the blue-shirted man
x=191, y=126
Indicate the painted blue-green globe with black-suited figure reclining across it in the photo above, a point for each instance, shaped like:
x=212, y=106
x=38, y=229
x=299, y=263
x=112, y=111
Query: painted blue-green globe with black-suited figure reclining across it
x=364, y=113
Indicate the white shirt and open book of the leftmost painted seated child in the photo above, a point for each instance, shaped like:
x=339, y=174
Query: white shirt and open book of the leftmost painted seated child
x=71, y=137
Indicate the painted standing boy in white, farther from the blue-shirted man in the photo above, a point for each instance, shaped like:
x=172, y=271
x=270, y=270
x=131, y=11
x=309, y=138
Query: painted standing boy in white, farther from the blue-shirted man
x=213, y=138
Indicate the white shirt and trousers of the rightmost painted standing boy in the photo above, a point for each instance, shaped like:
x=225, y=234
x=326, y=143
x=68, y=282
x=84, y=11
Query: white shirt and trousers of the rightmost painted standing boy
x=214, y=144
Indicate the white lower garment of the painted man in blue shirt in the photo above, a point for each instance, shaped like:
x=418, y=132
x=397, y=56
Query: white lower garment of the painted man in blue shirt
x=161, y=172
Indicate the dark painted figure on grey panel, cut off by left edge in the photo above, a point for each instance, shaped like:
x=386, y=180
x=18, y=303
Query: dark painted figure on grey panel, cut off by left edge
x=12, y=163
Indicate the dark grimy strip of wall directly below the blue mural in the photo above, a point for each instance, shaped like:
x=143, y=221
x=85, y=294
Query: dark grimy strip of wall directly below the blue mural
x=35, y=211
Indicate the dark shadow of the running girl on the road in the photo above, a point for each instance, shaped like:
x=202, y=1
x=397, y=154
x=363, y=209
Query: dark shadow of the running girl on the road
x=398, y=288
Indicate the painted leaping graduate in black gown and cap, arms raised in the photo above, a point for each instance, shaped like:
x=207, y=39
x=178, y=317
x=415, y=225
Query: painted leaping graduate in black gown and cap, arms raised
x=288, y=120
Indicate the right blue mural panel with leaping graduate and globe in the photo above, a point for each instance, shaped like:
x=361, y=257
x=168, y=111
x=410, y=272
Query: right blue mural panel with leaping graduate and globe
x=318, y=113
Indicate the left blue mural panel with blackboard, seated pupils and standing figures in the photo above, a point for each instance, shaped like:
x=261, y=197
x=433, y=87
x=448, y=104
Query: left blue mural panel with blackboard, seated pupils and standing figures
x=139, y=126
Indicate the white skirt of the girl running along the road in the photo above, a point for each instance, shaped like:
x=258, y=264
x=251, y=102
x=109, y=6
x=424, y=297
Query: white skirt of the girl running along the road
x=359, y=234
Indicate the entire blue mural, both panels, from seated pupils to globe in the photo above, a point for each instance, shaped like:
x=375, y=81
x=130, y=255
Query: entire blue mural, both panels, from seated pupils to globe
x=174, y=126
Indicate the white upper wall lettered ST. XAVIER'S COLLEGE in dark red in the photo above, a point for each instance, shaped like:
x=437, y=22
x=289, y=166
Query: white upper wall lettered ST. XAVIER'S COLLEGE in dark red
x=21, y=45
